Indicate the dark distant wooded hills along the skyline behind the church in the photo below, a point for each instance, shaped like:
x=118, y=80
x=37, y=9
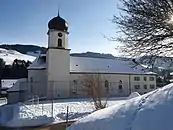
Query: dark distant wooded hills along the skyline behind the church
x=32, y=50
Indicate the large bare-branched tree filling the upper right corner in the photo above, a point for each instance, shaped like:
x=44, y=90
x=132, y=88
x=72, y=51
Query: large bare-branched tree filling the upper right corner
x=146, y=28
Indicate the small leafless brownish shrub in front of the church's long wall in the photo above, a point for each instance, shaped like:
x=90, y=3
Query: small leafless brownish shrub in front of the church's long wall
x=97, y=89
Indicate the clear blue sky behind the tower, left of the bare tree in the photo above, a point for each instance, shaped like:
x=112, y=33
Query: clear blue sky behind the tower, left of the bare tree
x=25, y=21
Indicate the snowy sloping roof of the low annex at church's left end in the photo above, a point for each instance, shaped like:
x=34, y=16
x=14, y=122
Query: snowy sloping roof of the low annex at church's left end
x=19, y=85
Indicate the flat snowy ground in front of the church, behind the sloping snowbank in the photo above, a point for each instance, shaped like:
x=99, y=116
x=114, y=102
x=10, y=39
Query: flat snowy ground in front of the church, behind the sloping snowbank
x=22, y=114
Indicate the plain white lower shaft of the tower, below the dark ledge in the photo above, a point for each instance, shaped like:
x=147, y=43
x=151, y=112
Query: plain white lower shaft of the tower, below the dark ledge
x=58, y=69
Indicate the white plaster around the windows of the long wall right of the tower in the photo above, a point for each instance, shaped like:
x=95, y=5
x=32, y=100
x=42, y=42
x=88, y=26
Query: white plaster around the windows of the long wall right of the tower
x=114, y=82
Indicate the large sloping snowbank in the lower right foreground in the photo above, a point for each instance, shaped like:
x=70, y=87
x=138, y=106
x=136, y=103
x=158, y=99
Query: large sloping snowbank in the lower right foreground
x=152, y=111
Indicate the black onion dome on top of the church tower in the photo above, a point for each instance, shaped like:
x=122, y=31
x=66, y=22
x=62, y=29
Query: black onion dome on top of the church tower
x=58, y=23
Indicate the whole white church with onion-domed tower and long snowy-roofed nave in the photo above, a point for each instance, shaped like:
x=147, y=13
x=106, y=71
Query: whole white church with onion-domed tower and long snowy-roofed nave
x=56, y=74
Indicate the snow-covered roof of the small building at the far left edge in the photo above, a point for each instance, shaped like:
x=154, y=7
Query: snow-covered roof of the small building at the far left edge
x=8, y=83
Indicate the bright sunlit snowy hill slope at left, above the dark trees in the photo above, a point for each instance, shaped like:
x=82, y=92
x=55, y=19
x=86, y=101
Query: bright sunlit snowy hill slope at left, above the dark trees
x=10, y=55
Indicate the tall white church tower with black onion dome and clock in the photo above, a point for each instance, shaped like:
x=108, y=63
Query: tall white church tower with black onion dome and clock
x=58, y=58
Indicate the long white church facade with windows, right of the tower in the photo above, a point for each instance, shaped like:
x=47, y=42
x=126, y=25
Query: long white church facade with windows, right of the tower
x=128, y=85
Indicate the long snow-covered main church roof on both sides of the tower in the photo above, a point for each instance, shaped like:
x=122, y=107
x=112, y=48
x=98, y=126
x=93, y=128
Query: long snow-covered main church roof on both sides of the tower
x=97, y=65
